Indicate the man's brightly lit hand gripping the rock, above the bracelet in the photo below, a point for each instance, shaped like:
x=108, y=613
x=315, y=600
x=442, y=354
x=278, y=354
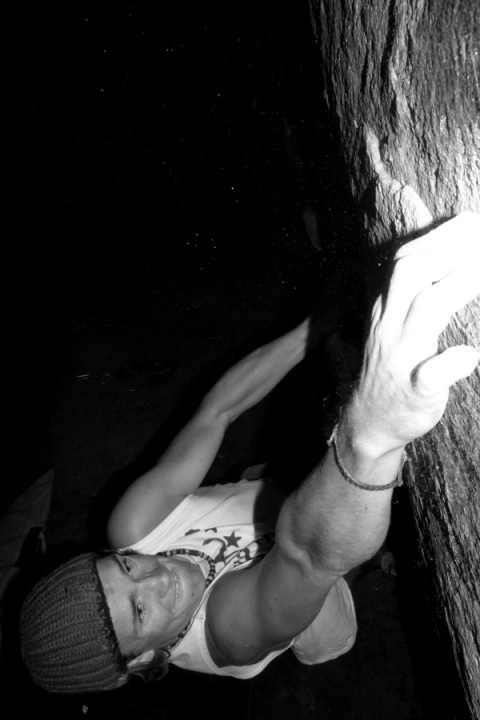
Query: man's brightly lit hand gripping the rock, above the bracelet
x=403, y=388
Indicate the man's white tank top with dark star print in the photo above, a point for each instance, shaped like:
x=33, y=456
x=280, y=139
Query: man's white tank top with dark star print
x=234, y=525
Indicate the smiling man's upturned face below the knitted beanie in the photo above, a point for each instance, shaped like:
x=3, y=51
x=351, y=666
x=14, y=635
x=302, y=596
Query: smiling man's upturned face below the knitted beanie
x=151, y=599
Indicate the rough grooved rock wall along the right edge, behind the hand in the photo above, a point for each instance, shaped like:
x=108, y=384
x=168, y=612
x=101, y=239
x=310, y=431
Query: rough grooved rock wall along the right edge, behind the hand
x=403, y=79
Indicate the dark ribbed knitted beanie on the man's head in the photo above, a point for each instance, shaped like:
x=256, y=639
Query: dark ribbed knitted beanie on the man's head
x=66, y=632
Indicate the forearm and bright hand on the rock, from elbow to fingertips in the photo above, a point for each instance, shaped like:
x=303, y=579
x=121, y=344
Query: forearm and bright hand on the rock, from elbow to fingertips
x=401, y=394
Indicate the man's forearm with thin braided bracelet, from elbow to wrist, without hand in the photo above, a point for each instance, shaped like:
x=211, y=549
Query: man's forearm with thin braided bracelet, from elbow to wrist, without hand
x=330, y=525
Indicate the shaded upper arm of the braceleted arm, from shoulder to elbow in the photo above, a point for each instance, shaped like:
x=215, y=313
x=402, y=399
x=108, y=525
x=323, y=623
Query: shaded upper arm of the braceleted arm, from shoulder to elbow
x=254, y=611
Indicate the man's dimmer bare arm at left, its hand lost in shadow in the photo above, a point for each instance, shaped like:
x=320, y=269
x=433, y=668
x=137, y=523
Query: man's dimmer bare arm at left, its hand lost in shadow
x=187, y=460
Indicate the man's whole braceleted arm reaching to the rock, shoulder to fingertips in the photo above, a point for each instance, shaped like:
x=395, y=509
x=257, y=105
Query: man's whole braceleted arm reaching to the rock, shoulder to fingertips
x=329, y=526
